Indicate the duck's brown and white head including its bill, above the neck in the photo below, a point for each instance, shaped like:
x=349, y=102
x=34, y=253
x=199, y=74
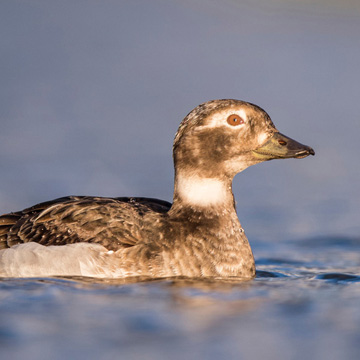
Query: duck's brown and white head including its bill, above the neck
x=220, y=138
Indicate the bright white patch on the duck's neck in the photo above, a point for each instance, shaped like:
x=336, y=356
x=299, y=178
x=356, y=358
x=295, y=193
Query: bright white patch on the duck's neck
x=201, y=191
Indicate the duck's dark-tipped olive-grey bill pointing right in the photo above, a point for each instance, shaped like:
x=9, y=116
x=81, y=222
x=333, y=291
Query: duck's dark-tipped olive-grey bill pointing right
x=280, y=146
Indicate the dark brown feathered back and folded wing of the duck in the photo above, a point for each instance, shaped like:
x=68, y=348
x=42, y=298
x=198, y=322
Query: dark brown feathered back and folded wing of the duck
x=111, y=222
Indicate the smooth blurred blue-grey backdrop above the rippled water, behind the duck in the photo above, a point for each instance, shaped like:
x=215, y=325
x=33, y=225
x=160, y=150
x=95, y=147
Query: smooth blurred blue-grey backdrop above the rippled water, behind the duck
x=92, y=93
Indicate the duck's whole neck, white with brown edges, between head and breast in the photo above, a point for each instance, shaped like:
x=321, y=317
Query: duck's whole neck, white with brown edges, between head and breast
x=208, y=195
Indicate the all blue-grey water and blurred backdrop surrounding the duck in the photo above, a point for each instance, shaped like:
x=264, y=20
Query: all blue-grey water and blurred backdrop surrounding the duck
x=91, y=95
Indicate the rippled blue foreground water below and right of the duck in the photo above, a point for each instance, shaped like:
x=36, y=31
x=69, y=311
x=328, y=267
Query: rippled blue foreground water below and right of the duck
x=304, y=300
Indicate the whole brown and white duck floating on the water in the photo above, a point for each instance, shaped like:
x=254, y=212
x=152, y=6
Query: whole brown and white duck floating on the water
x=198, y=235
